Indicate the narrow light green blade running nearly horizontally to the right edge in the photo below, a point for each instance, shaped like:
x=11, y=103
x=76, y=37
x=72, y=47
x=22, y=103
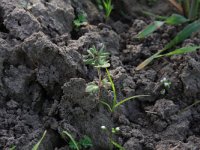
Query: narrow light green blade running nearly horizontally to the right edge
x=182, y=50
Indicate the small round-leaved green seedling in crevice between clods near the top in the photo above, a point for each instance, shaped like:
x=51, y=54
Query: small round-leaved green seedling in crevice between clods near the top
x=80, y=20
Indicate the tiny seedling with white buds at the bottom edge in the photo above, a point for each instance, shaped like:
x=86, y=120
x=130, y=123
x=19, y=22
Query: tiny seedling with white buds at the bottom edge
x=111, y=134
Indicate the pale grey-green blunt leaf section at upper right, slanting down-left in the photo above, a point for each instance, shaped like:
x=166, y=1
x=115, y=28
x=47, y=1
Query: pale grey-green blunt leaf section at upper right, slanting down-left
x=150, y=29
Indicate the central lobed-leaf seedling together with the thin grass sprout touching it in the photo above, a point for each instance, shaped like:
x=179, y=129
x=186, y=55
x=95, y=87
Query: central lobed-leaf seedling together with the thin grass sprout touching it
x=99, y=60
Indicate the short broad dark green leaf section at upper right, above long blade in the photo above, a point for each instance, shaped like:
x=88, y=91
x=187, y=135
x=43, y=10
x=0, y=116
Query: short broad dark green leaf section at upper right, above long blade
x=176, y=19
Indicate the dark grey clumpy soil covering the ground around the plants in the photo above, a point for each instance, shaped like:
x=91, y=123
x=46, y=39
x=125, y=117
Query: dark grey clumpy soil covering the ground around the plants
x=43, y=78
